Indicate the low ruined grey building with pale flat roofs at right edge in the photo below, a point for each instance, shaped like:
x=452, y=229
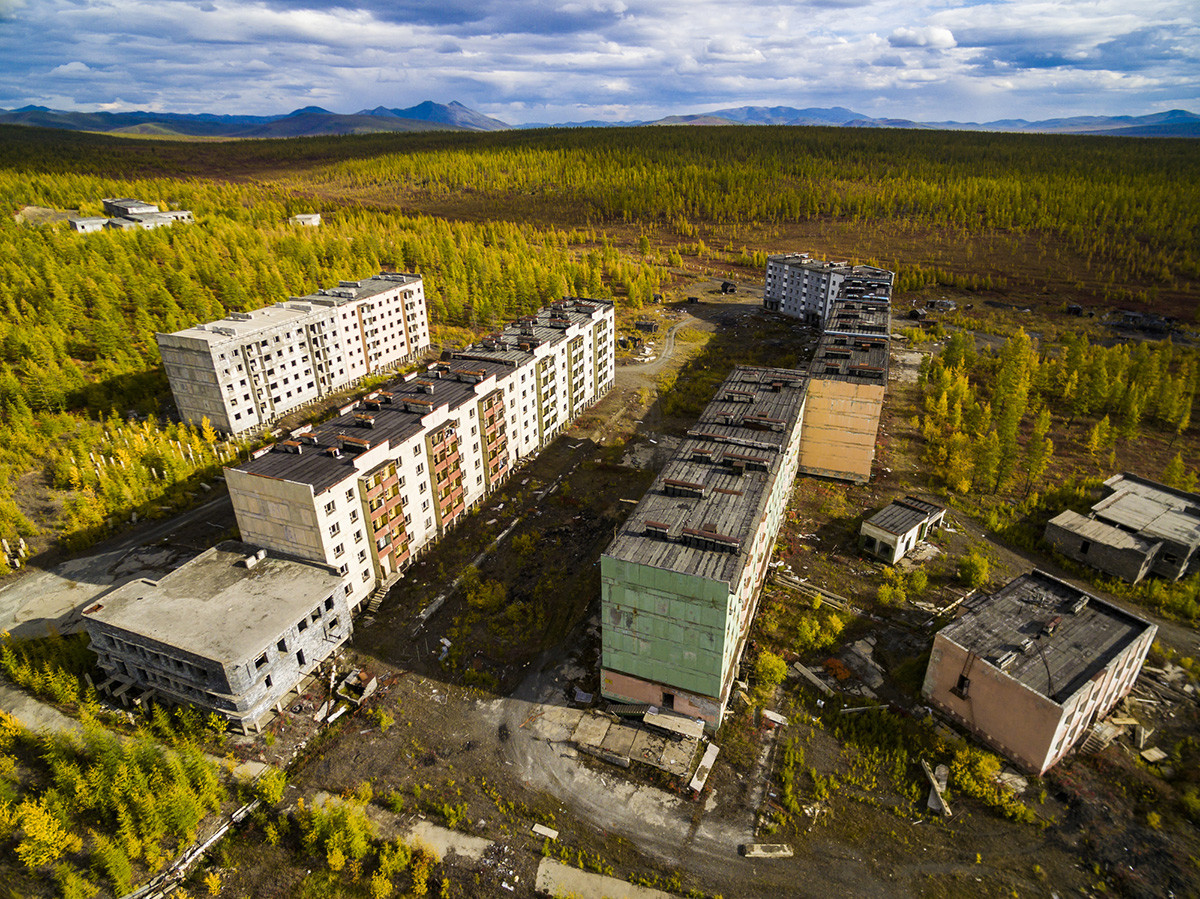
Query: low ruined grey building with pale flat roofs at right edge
x=1139, y=529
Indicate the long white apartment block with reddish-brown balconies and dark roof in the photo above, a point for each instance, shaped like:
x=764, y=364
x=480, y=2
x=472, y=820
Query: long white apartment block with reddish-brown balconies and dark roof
x=370, y=490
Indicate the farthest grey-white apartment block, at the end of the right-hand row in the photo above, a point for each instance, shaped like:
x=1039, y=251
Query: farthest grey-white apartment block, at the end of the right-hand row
x=803, y=287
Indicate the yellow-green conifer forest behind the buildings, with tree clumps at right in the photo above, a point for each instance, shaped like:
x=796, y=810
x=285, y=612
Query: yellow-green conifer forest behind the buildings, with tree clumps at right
x=500, y=224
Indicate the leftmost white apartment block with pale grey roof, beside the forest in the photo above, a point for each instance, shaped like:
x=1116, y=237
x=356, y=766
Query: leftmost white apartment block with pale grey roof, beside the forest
x=247, y=370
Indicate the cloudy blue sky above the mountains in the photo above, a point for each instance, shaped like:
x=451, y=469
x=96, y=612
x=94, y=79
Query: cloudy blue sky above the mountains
x=556, y=62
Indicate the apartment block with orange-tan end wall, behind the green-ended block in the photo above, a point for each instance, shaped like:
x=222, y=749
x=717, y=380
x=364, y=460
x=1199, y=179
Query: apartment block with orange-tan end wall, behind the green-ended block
x=849, y=376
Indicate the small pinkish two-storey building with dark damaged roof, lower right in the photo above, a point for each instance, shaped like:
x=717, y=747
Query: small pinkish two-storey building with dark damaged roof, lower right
x=1031, y=668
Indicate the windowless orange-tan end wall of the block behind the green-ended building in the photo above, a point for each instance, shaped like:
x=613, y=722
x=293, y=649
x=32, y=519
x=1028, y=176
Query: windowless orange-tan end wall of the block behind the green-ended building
x=842, y=423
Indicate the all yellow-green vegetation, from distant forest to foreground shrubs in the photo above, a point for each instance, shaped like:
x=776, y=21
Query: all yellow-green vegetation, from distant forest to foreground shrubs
x=1009, y=430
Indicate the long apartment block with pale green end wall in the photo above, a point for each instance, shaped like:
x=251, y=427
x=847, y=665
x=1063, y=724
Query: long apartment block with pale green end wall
x=682, y=579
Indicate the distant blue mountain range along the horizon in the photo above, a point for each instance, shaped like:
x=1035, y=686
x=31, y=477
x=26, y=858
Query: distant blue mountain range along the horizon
x=310, y=122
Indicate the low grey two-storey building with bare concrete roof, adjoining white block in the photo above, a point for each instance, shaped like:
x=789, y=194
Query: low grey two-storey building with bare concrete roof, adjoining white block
x=232, y=632
